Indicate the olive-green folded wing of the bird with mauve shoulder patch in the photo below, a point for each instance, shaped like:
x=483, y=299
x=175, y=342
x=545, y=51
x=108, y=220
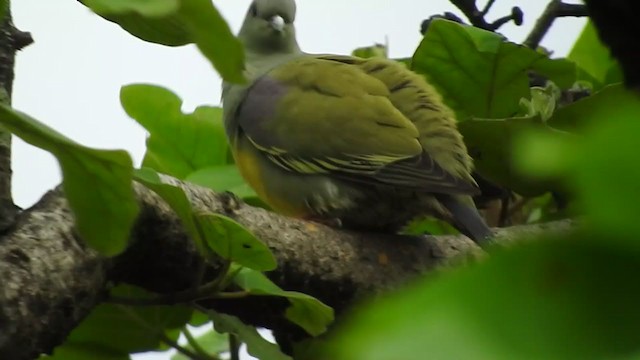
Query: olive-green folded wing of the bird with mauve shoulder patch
x=313, y=115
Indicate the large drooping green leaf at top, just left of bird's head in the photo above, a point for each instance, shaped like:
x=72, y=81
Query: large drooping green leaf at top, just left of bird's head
x=179, y=22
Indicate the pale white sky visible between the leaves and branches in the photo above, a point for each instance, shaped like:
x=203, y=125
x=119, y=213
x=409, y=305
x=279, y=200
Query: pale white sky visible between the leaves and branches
x=70, y=78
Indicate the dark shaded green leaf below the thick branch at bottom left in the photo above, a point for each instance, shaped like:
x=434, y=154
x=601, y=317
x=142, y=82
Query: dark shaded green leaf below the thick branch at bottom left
x=112, y=331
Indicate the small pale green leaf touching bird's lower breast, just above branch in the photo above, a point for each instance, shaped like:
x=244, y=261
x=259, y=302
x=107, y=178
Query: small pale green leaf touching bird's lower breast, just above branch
x=222, y=178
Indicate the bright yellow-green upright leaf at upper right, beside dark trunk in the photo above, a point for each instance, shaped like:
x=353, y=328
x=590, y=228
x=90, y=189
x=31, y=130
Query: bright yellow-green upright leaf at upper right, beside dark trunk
x=594, y=59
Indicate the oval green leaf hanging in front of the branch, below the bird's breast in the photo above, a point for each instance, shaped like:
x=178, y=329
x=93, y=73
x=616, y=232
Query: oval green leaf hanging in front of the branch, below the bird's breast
x=234, y=242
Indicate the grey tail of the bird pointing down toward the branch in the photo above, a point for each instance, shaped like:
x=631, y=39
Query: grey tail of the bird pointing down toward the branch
x=467, y=219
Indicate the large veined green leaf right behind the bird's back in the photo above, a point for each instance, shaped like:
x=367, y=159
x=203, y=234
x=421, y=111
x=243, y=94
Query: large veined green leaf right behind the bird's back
x=478, y=73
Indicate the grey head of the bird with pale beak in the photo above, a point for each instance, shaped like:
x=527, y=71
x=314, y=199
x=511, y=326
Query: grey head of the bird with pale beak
x=268, y=27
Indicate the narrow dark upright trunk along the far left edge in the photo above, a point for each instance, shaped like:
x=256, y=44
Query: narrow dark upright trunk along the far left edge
x=11, y=40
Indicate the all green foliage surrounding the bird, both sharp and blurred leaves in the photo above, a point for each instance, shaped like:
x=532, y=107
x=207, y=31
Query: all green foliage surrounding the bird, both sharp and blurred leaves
x=550, y=298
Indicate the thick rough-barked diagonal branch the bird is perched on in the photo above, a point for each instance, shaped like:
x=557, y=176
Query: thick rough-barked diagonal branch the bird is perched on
x=51, y=280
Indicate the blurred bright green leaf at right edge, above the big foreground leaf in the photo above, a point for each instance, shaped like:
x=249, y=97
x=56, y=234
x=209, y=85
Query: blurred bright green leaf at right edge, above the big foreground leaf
x=607, y=174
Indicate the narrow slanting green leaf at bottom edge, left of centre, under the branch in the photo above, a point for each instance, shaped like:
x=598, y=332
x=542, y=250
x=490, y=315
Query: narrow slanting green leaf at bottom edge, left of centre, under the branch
x=256, y=344
